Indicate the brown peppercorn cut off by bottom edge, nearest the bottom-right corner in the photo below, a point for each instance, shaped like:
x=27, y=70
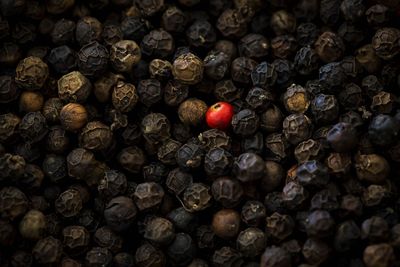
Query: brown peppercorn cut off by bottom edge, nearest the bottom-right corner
x=379, y=255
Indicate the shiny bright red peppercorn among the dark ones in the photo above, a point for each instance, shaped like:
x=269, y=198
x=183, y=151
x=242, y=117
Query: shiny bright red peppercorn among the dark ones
x=219, y=115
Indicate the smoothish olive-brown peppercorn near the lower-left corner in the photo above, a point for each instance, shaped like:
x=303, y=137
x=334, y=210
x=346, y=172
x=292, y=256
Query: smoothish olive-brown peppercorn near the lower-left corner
x=33, y=225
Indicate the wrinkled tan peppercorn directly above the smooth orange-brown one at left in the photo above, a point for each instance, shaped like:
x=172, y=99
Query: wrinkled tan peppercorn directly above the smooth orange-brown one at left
x=74, y=87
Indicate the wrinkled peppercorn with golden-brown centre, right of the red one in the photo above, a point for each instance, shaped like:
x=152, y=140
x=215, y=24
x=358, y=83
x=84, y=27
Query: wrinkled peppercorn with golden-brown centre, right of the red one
x=296, y=99
